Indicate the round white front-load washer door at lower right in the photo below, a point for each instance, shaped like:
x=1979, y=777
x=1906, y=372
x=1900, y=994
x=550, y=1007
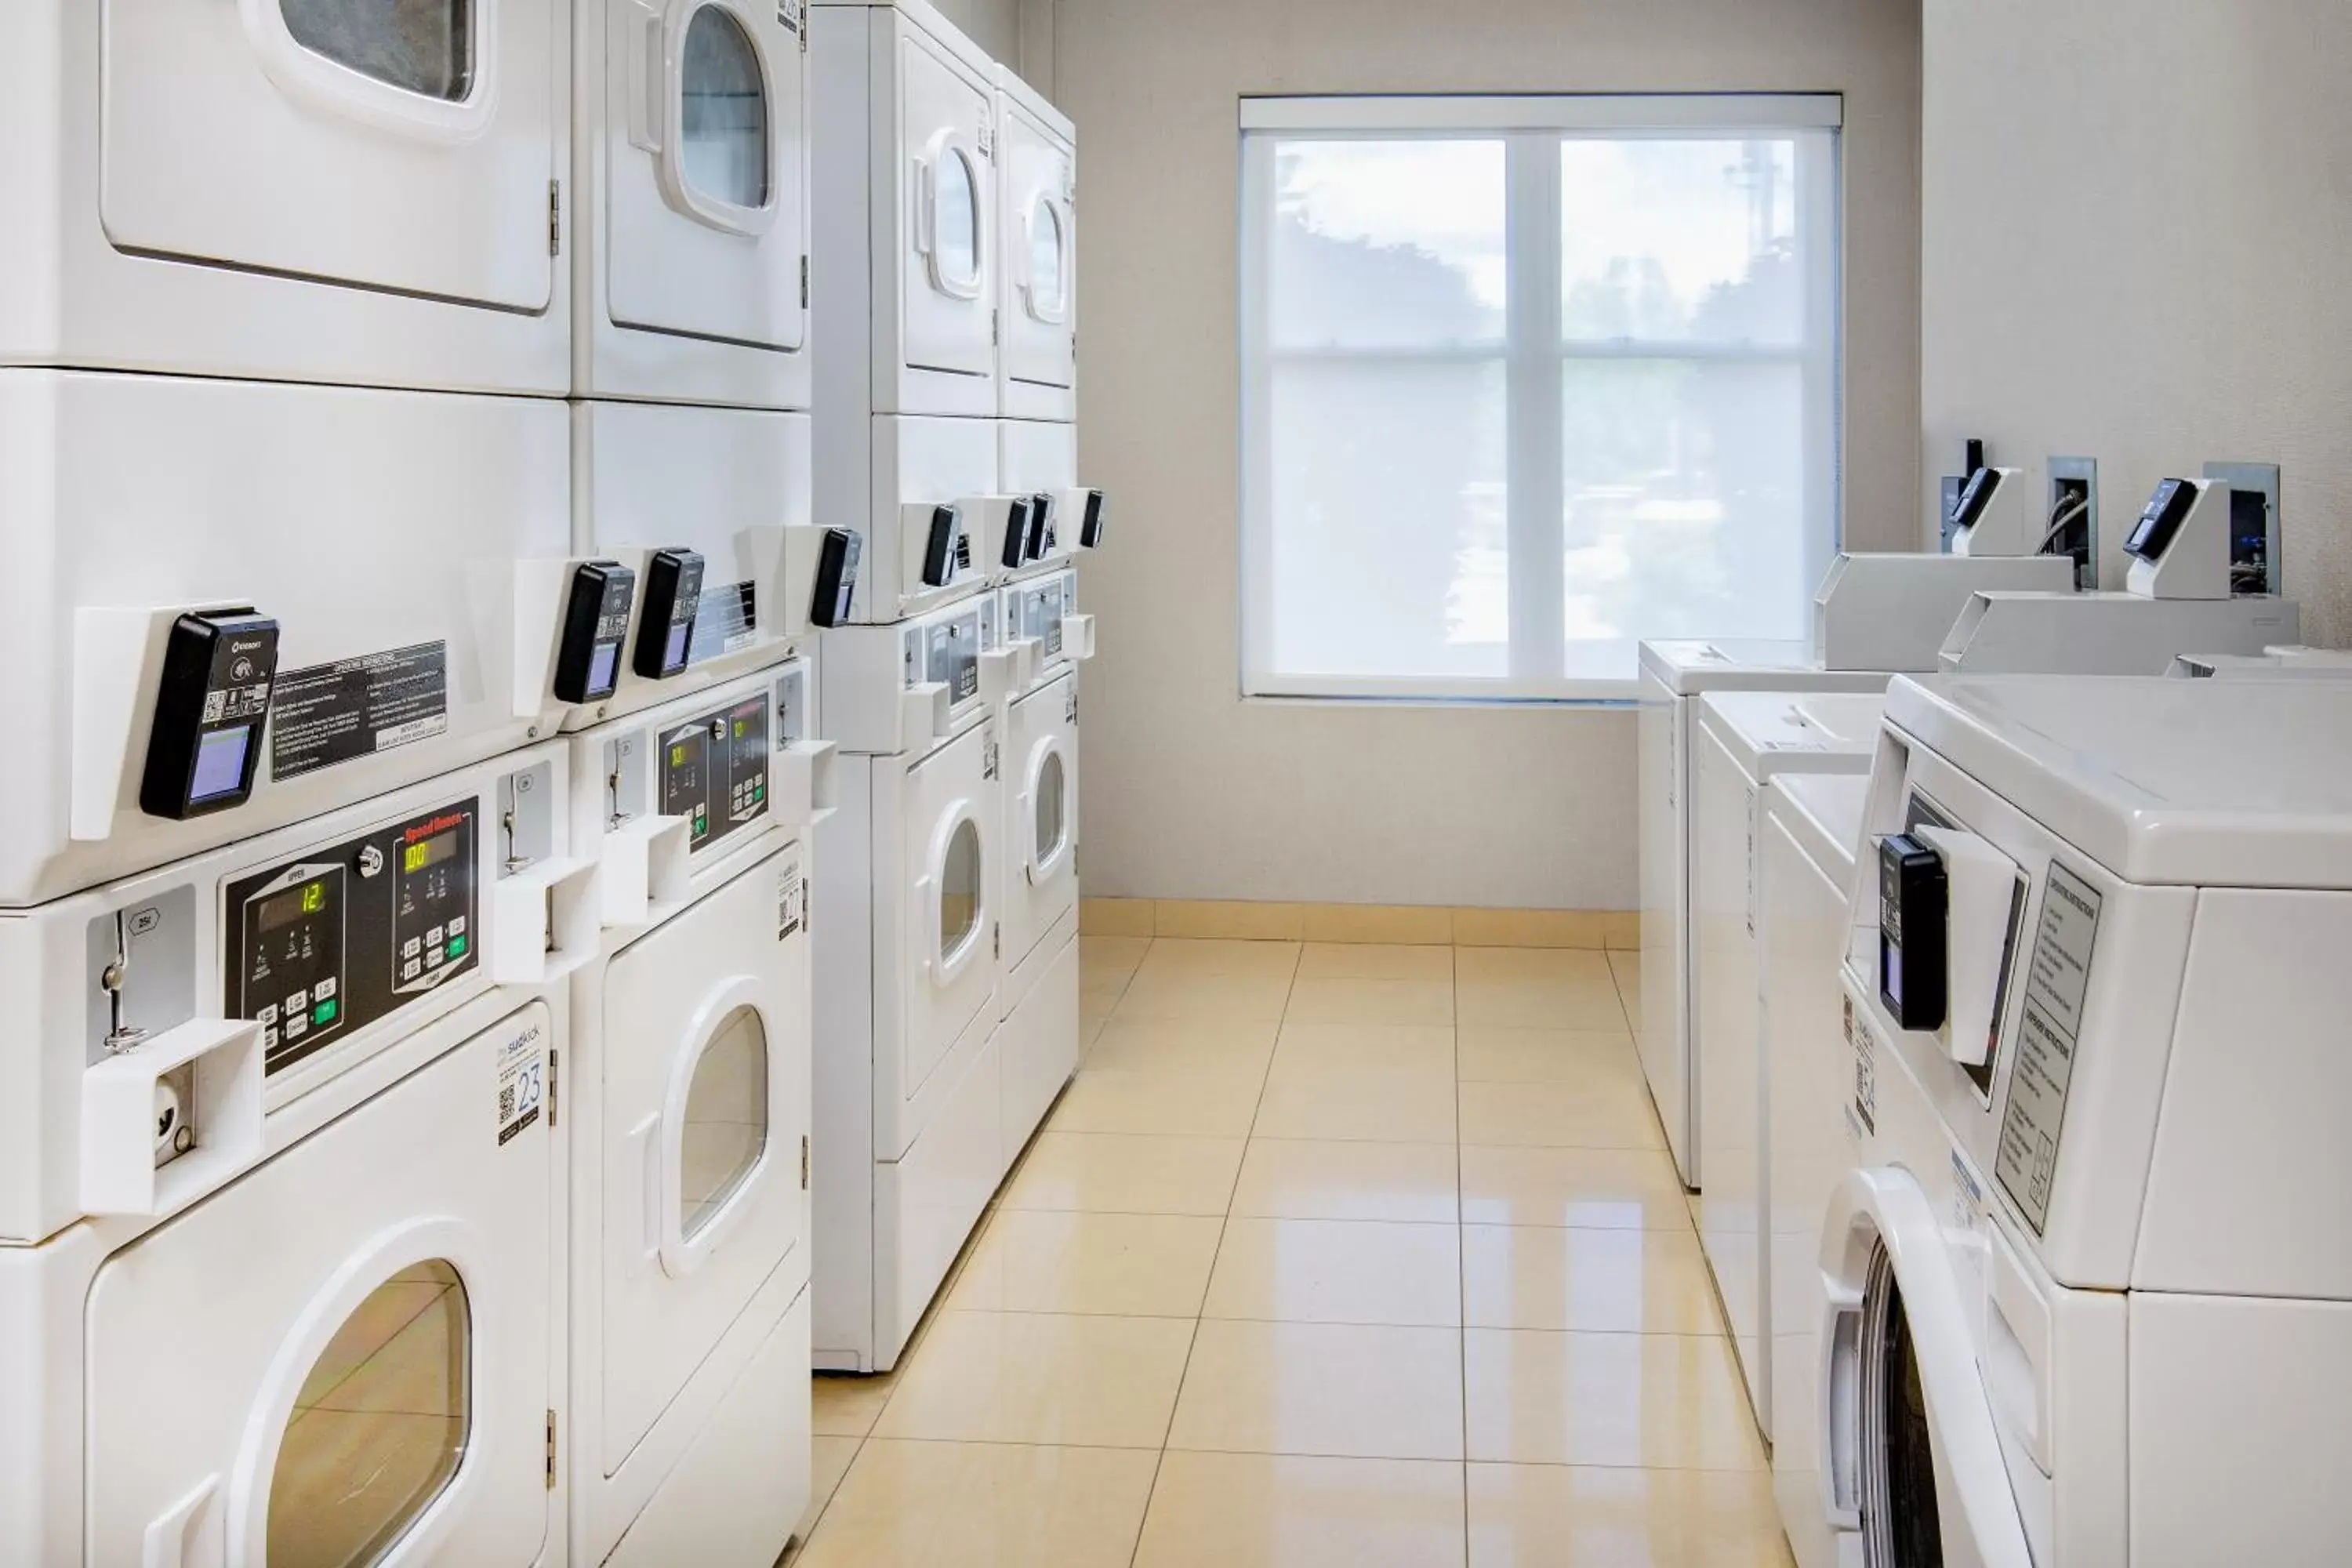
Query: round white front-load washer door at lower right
x=1911, y=1454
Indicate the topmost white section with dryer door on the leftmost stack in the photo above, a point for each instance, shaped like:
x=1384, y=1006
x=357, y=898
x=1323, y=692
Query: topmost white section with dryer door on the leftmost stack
x=290, y=189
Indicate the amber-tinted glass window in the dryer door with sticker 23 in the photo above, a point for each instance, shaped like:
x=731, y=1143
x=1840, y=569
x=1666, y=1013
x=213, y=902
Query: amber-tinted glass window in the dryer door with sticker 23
x=380, y=1426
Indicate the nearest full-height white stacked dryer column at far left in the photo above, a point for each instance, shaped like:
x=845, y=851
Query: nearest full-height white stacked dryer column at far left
x=288, y=892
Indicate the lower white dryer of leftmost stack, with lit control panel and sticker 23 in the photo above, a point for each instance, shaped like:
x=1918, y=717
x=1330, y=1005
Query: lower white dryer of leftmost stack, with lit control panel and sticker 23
x=283, y=1193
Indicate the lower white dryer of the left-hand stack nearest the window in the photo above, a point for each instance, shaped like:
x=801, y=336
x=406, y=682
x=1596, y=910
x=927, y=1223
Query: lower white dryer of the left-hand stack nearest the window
x=1038, y=991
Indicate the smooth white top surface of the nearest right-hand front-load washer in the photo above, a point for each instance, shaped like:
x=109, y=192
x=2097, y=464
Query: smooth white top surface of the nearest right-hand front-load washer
x=2174, y=782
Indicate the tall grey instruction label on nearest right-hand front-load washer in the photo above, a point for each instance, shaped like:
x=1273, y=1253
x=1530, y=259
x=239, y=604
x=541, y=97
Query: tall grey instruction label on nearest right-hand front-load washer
x=2038, y=1083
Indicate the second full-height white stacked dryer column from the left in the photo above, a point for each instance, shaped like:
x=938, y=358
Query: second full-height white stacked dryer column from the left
x=688, y=631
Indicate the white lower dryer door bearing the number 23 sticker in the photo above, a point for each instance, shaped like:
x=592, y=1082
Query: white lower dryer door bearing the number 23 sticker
x=366, y=1388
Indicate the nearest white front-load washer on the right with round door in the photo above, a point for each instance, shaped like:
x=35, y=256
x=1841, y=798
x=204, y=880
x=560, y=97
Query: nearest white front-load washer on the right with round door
x=2087, y=1280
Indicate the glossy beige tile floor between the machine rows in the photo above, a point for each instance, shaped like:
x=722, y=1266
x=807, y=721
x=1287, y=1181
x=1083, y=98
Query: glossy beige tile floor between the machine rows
x=1332, y=1254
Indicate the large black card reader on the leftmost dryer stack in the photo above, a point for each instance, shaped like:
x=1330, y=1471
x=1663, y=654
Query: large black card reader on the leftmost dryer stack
x=211, y=706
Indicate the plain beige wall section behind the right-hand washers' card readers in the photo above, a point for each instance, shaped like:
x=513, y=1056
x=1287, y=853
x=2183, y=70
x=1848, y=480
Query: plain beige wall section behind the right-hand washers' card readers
x=2139, y=227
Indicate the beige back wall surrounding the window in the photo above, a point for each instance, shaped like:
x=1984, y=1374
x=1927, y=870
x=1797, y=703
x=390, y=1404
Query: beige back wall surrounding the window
x=1194, y=793
